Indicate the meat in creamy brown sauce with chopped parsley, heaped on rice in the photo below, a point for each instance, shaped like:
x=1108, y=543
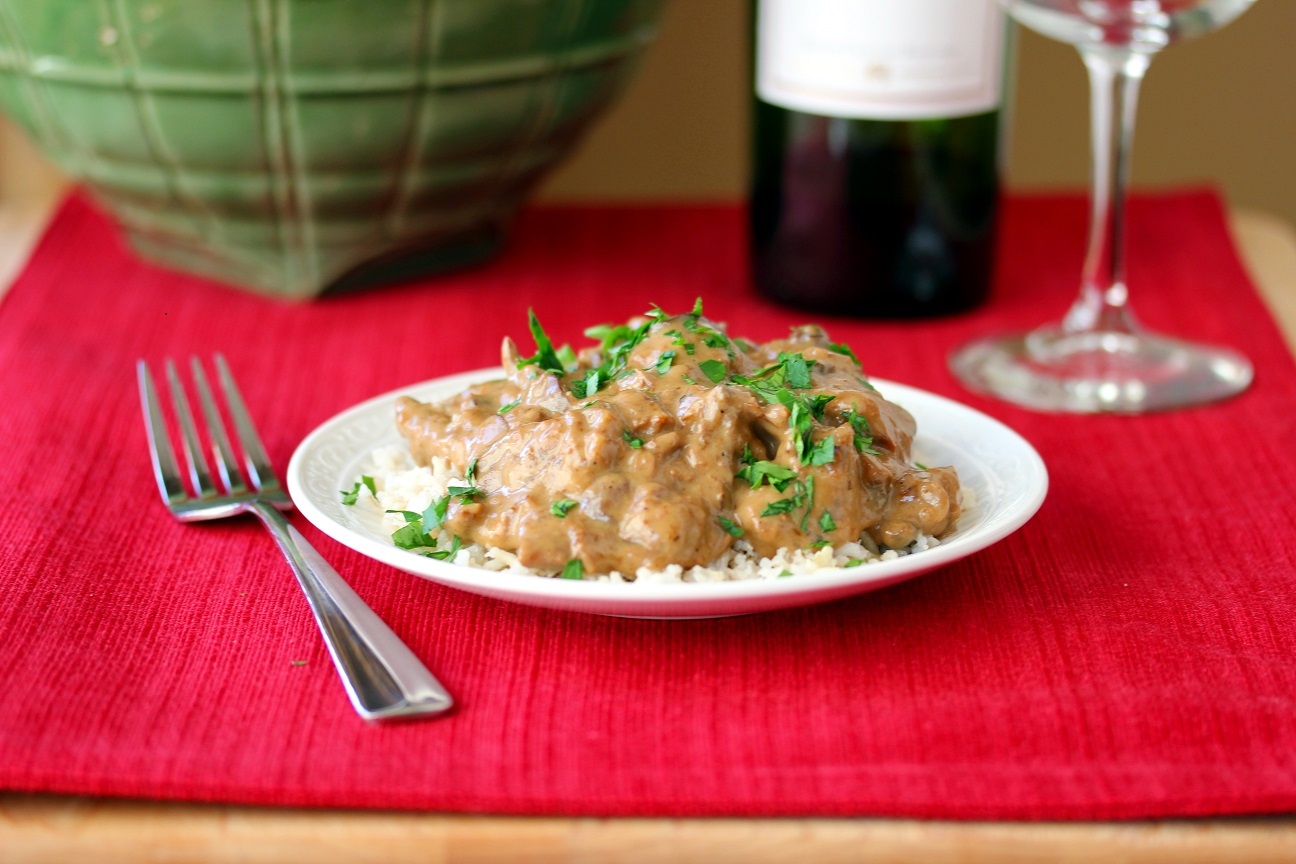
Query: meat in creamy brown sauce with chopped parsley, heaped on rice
x=665, y=466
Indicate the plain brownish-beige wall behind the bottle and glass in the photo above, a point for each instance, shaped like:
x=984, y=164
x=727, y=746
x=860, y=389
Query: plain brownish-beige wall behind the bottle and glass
x=1220, y=109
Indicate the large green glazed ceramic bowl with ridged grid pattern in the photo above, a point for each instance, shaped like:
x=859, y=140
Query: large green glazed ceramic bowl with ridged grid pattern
x=294, y=147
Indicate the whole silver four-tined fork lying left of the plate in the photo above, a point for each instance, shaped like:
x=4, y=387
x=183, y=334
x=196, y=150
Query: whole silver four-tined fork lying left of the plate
x=382, y=676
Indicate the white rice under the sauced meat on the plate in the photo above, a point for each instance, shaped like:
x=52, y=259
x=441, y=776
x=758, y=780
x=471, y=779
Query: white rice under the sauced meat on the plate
x=402, y=486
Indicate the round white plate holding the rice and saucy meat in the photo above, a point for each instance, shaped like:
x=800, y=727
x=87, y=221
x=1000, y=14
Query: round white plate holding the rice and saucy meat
x=1005, y=475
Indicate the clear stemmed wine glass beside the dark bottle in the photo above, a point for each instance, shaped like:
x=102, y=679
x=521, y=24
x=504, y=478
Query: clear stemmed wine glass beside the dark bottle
x=1098, y=359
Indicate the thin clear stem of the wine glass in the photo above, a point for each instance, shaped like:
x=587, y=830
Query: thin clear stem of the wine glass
x=1115, y=76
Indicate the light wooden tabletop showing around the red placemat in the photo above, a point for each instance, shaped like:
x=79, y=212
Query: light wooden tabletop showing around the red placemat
x=56, y=830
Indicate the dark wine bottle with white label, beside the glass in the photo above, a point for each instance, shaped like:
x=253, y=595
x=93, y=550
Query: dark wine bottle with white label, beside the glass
x=877, y=159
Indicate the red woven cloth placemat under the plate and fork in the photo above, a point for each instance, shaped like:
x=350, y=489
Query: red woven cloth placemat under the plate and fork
x=1129, y=654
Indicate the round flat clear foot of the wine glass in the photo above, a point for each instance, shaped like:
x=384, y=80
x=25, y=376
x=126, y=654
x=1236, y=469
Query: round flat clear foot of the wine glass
x=1096, y=372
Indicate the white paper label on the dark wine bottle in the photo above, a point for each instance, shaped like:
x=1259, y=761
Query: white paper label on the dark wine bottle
x=888, y=60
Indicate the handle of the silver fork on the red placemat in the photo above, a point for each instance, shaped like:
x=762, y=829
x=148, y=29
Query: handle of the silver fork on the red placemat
x=382, y=676
